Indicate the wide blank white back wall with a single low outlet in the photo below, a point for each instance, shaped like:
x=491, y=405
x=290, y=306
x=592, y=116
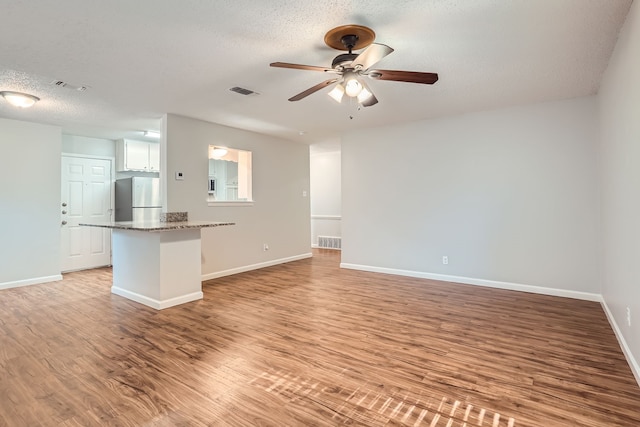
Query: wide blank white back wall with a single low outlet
x=510, y=196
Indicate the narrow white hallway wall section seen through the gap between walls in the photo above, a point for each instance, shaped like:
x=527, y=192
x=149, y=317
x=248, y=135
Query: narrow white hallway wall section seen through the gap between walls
x=326, y=194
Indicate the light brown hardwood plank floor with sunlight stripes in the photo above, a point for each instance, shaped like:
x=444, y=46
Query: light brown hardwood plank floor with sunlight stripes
x=308, y=344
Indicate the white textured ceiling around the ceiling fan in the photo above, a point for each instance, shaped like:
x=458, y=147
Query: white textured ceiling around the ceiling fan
x=144, y=58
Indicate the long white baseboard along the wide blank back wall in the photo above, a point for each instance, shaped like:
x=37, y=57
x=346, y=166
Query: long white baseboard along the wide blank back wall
x=481, y=282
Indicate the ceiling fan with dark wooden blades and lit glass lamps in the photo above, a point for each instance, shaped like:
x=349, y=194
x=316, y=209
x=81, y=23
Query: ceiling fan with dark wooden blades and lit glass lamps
x=351, y=68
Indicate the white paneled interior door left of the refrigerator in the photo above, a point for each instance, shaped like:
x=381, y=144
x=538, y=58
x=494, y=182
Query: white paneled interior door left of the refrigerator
x=86, y=197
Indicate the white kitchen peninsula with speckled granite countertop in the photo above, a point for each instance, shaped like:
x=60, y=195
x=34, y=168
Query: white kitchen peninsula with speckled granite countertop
x=157, y=263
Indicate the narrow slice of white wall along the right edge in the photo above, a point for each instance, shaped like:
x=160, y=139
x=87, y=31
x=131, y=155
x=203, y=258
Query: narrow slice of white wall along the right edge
x=620, y=152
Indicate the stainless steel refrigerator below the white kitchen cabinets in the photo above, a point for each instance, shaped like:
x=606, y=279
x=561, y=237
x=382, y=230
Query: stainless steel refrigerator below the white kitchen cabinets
x=138, y=199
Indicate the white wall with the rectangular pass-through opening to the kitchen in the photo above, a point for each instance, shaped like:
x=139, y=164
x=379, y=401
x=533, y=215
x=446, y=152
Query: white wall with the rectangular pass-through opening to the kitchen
x=279, y=215
